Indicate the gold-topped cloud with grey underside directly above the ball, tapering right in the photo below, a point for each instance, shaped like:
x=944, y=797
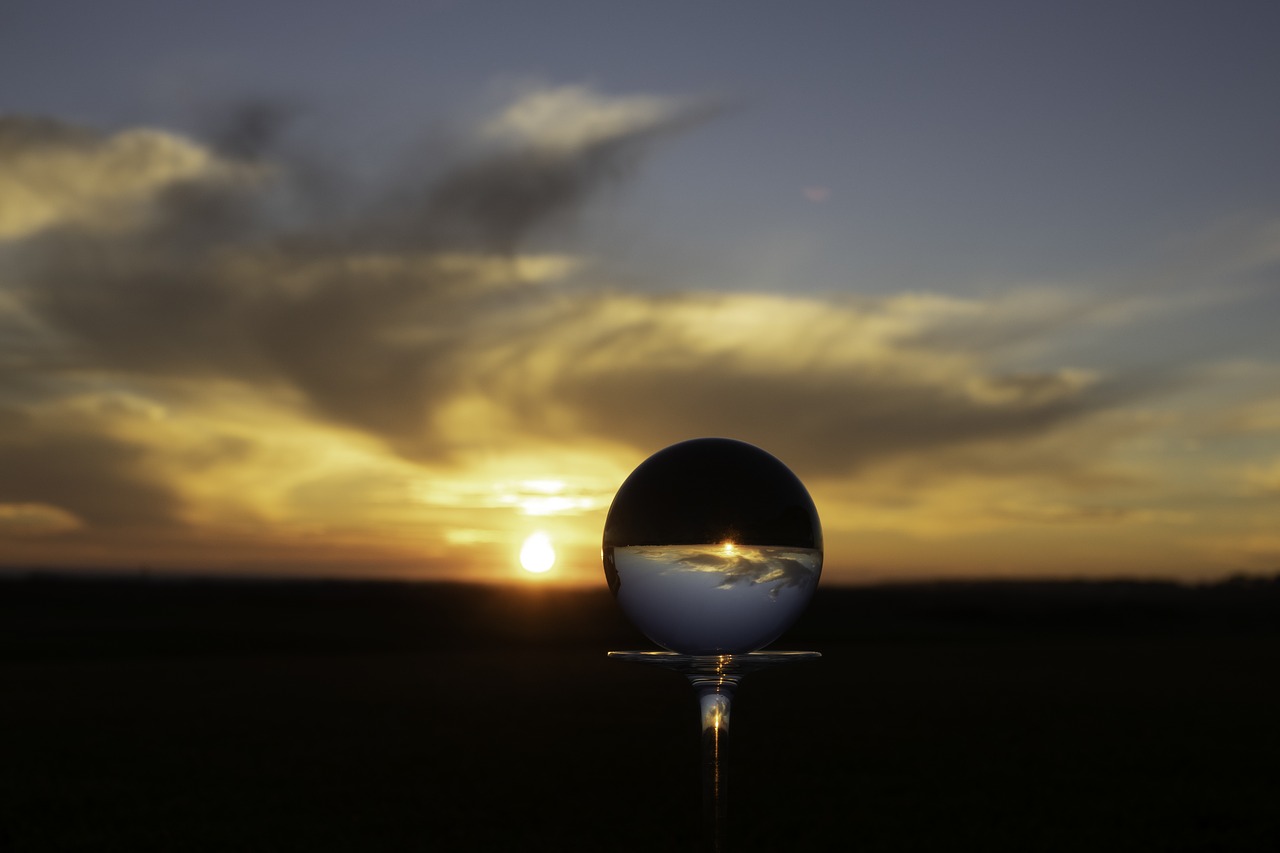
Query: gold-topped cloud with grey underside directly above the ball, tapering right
x=829, y=386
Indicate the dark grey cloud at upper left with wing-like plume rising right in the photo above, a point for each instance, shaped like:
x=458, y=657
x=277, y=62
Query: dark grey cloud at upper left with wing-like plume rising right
x=367, y=318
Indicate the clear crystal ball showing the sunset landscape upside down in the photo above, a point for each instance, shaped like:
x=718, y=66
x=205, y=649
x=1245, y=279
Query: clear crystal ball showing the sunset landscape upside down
x=712, y=548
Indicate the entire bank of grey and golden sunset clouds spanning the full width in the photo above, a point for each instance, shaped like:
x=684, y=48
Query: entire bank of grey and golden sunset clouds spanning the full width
x=179, y=318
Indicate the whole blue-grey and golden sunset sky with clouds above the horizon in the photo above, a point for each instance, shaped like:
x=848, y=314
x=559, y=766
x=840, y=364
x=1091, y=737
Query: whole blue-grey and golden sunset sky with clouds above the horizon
x=385, y=289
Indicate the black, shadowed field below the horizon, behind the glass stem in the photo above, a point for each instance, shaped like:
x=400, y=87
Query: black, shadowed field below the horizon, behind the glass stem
x=199, y=717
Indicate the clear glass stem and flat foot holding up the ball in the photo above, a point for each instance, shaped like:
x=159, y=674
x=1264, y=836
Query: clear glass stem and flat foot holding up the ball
x=715, y=677
